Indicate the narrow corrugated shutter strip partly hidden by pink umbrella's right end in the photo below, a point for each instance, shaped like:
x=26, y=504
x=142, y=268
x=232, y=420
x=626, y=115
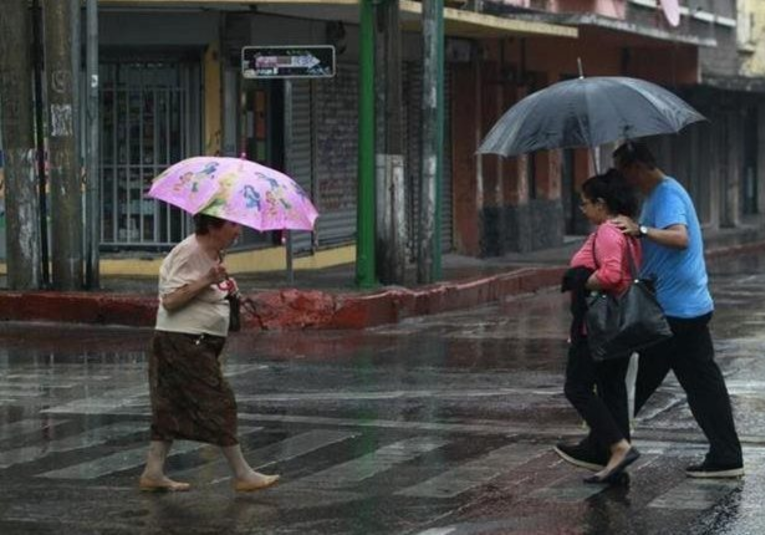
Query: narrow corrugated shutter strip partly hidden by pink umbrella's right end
x=300, y=160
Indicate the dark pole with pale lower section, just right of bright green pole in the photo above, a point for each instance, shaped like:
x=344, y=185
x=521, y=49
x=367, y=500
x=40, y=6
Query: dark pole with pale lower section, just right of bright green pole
x=391, y=190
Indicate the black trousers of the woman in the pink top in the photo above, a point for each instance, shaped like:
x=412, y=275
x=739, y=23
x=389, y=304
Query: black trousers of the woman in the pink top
x=605, y=410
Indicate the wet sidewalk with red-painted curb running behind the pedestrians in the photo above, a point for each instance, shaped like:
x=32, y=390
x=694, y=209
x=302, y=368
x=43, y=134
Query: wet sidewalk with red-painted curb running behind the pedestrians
x=327, y=299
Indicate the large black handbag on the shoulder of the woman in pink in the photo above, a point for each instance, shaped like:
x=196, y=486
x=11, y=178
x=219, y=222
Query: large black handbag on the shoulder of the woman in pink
x=617, y=326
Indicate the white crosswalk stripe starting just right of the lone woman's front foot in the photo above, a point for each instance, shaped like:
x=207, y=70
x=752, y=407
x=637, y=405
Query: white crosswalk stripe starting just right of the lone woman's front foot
x=371, y=464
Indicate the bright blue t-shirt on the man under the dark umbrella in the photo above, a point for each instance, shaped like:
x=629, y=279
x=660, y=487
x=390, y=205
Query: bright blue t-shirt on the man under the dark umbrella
x=680, y=275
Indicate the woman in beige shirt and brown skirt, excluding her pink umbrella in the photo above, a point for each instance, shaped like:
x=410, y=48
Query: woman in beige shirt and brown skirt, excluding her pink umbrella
x=190, y=397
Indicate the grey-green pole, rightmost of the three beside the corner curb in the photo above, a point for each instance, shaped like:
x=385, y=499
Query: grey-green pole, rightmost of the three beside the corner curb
x=429, y=242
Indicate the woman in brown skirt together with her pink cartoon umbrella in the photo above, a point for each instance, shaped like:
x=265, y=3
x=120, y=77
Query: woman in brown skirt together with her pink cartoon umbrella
x=190, y=397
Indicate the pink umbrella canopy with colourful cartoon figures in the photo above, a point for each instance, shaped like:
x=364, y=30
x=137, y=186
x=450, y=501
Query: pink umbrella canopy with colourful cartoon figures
x=236, y=190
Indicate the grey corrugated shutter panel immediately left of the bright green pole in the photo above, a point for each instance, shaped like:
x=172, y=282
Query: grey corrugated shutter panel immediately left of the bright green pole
x=335, y=166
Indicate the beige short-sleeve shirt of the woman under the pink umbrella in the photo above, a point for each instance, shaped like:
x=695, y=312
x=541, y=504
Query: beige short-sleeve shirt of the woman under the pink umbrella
x=208, y=312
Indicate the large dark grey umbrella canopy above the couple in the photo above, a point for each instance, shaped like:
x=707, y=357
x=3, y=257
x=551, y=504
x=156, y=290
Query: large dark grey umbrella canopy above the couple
x=587, y=112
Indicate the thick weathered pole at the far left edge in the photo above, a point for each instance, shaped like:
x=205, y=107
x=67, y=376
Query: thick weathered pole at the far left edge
x=21, y=207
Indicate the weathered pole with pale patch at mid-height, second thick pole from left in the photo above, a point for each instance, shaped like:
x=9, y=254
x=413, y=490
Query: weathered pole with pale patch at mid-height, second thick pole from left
x=65, y=183
